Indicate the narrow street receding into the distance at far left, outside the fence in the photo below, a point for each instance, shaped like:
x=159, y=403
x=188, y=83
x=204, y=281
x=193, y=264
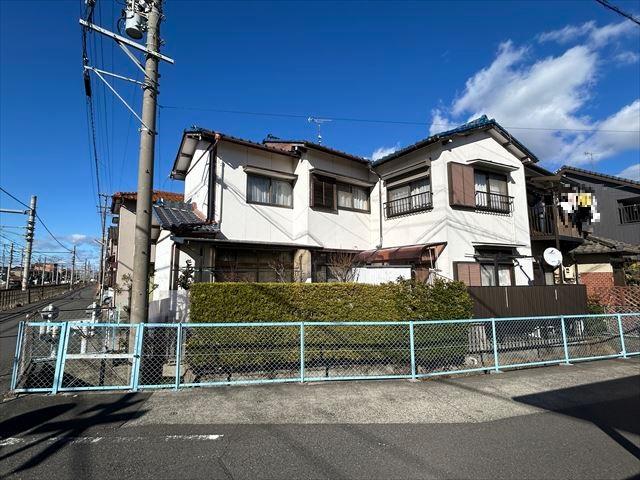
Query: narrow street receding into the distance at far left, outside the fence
x=9, y=325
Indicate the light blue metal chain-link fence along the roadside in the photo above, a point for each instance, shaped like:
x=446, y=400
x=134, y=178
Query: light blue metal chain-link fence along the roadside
x=82, y=355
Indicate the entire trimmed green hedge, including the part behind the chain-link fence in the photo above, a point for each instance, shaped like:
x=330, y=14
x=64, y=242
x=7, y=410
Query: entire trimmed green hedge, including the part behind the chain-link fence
x=245, y=349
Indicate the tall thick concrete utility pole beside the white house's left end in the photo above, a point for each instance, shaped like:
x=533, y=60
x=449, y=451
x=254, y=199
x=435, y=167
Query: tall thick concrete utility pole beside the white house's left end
x=142, y=258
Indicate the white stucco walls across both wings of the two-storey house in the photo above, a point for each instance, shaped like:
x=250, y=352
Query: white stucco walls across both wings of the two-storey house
x=304, y=226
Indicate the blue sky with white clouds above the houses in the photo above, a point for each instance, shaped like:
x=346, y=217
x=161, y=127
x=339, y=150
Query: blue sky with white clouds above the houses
x=562, y=76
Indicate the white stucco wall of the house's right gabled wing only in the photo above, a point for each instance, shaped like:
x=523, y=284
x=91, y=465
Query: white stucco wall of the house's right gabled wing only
x=460, y=228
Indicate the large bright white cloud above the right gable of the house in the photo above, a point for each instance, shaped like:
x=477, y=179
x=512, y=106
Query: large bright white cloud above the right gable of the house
x=547, y=96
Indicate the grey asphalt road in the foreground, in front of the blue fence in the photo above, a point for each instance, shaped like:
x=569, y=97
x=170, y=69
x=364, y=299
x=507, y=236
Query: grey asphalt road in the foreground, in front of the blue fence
x=589, y=430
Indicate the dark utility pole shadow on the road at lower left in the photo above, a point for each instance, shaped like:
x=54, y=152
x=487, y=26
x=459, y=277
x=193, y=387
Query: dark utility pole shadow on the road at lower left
x=47, y=426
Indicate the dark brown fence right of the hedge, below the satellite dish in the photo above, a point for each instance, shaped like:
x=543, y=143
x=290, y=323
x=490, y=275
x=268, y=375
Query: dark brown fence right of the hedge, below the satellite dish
x=523, y=301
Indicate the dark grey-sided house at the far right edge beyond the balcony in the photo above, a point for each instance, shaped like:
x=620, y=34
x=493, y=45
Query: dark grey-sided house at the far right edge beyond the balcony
x=618, y=201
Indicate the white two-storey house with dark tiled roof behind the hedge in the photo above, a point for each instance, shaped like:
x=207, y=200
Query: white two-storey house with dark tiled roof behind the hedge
x=453, y=205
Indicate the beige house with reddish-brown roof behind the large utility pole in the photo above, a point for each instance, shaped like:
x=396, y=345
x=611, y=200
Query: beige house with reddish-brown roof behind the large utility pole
x=121, y=244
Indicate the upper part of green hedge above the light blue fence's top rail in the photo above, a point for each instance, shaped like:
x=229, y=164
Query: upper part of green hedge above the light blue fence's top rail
x=296, y=302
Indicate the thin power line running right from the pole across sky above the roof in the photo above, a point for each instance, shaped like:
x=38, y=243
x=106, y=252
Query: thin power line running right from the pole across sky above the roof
x=382, y=121
